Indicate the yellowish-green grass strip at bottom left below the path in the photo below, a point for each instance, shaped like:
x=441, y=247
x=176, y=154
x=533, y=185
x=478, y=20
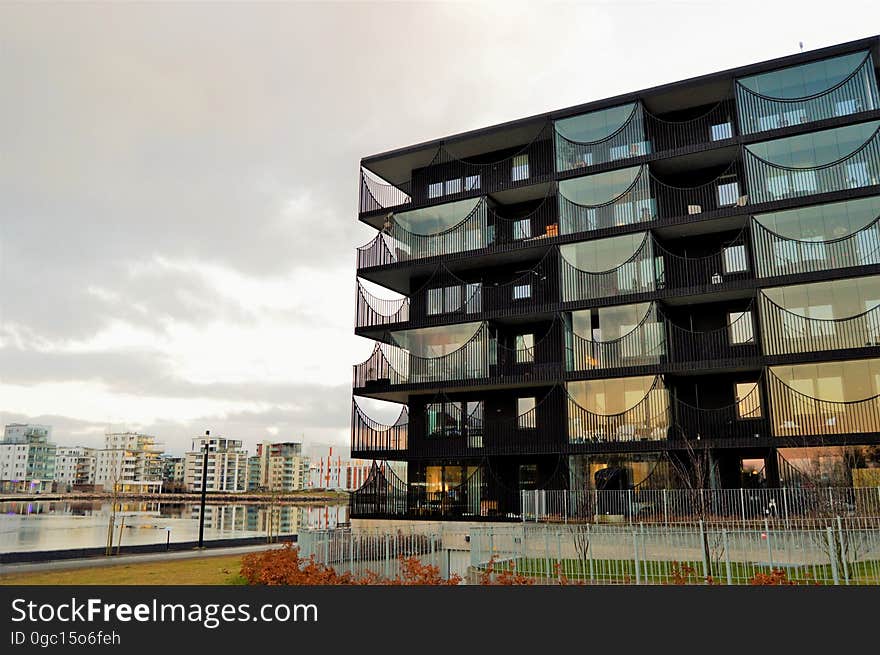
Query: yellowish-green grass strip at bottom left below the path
x=216, y=570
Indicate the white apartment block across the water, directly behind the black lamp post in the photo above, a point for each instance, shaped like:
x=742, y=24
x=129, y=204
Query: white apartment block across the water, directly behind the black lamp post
x=227, y=465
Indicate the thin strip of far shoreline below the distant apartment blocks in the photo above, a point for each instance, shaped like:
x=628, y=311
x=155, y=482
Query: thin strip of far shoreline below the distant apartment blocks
x=290, y=498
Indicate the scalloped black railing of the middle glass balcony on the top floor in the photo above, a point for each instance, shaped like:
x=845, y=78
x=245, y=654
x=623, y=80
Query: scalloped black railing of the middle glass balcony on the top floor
x=626, y=142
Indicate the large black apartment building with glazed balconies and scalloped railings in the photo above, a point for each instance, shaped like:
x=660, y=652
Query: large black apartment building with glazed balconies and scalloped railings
x=675, y=287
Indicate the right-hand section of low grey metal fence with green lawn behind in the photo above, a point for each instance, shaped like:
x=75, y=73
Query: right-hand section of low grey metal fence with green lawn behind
x=836, y=551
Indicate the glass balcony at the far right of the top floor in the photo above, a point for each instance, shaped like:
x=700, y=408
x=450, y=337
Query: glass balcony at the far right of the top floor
x=820, y=90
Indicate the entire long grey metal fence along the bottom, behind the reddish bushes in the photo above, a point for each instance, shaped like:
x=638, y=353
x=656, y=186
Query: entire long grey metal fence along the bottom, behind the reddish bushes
x=829, y=551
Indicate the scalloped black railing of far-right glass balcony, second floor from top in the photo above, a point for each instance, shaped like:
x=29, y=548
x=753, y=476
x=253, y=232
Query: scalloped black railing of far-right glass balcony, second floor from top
x=769, y=182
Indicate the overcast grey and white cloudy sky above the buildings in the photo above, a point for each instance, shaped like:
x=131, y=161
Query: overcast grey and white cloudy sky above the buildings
x=178, y=183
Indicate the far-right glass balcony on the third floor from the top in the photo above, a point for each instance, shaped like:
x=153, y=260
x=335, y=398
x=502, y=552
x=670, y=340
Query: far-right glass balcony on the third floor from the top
x=817, y=238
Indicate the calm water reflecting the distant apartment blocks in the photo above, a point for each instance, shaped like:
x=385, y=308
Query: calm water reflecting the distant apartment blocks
x=32, y=525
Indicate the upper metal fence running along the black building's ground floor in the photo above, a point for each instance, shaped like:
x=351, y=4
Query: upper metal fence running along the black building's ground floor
x=673, y=505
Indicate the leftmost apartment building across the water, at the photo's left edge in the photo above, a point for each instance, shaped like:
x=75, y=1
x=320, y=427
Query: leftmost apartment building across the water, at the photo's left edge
x=27, y=459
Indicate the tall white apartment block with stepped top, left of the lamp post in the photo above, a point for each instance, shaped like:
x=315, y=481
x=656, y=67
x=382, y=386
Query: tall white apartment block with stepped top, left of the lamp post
x=130, y=462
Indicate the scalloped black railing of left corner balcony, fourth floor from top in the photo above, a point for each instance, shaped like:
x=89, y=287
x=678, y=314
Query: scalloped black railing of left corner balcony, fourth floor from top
x=391, y=365
